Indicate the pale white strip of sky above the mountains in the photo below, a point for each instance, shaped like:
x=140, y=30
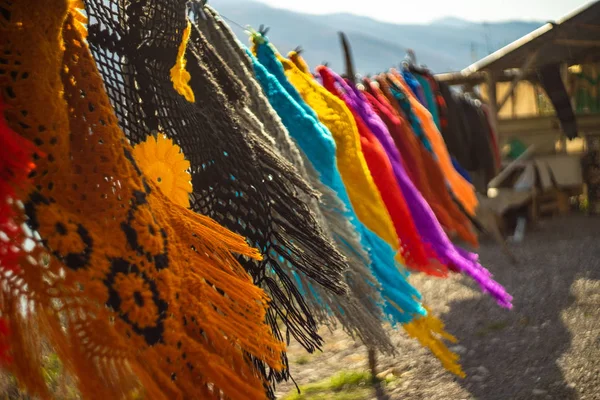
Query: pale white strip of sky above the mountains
x=424, y=11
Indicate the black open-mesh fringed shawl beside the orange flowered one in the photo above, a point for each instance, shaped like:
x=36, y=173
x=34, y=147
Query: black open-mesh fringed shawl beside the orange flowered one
x=238, y=178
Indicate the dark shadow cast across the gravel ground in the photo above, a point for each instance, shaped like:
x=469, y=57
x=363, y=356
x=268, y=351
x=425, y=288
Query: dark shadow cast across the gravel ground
x=516, y=354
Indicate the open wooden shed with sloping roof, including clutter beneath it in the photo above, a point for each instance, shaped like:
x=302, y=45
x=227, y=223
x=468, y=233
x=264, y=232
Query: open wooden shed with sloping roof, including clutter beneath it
x=507, y=81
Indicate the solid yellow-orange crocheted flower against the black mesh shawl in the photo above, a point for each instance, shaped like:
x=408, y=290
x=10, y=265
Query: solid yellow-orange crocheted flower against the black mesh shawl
x=162, y=161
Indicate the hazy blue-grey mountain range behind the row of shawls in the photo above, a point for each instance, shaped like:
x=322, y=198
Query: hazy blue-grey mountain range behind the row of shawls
x=448, y=44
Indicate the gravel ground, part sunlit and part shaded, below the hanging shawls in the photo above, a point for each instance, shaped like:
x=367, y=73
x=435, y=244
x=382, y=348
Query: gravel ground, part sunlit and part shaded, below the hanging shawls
x=547, y=347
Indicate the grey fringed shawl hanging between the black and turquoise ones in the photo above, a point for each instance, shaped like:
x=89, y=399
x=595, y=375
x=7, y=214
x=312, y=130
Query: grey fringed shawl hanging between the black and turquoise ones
x=358, y=312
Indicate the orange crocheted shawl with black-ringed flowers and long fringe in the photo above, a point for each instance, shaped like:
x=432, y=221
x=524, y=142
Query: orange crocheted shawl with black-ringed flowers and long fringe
x=158, y=307
